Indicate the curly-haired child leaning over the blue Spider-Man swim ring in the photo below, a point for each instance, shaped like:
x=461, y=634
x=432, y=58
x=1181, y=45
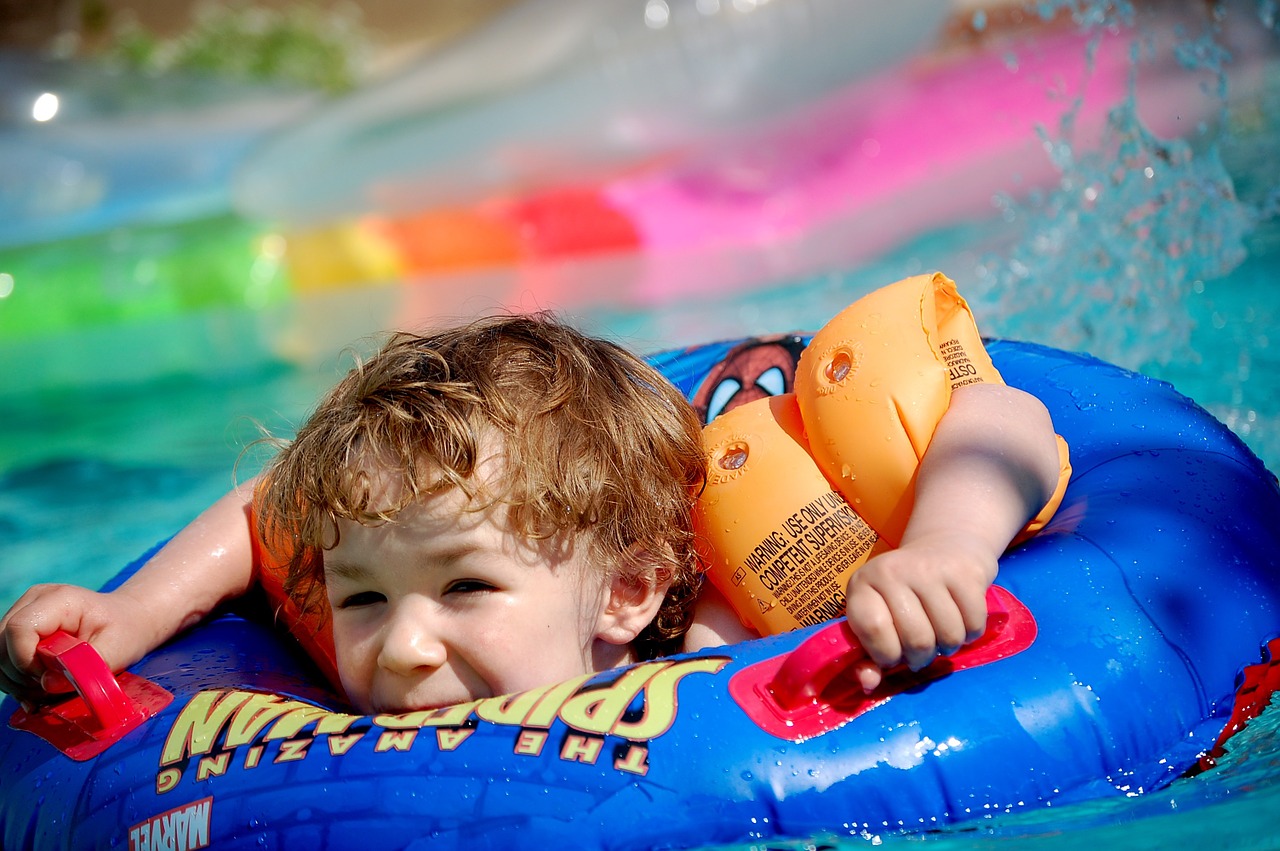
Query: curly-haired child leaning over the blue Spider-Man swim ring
x=509, y=505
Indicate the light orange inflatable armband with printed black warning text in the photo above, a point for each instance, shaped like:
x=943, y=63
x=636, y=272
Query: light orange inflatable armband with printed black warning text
x=870, y=391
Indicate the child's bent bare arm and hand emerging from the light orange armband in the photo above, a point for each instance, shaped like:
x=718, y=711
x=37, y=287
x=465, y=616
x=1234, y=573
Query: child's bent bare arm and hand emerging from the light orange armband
x=991, y=465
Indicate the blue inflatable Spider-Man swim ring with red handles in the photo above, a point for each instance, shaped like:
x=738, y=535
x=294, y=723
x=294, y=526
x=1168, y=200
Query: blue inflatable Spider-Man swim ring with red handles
x=1149, y=607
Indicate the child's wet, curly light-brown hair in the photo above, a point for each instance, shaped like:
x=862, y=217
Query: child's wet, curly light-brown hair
x=597, y=450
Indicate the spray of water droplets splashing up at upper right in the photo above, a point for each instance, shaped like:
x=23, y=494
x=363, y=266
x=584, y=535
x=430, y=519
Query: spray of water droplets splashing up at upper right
x=1109, y=257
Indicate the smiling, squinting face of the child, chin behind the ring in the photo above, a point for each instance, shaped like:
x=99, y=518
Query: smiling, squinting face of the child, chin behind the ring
x=446, y=605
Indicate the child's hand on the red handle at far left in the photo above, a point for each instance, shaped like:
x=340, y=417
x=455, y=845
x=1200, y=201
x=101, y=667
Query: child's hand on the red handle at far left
x=111, y=623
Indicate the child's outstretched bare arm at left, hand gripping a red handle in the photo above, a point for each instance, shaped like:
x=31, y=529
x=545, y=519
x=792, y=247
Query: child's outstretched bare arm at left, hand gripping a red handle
x=208, y=562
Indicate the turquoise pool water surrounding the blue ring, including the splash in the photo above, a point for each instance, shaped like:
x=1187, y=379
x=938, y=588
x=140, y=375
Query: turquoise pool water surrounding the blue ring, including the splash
x=94, y=473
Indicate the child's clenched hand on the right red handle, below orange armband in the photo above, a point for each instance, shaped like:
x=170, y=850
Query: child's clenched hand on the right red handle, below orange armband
x=918, y=602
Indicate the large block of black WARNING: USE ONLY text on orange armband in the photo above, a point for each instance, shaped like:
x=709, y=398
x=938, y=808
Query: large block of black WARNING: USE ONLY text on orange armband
x=799, y=564
